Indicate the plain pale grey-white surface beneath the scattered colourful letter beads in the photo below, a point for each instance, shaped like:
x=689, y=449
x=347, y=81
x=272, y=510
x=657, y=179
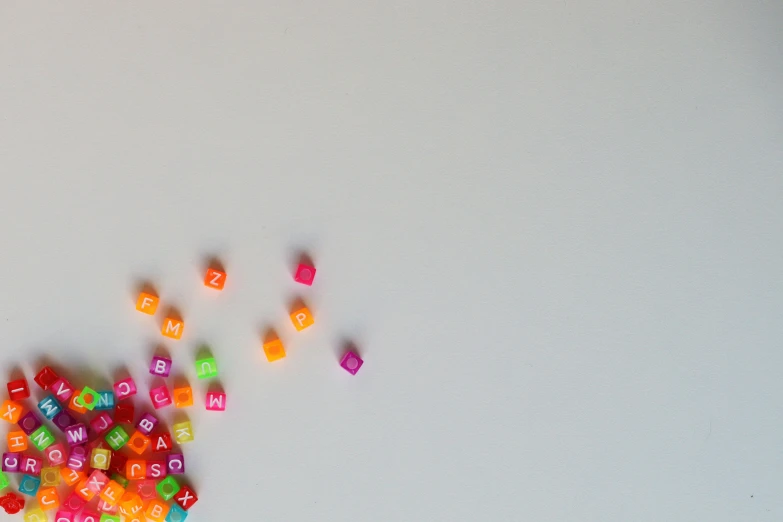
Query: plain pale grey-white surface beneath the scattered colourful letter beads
x=552, y=228
